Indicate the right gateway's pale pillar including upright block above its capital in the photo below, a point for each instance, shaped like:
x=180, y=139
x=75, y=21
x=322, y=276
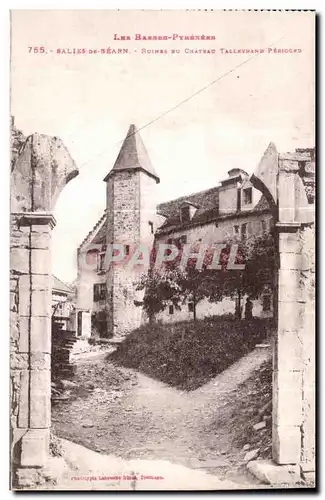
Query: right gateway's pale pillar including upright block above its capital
x=290, y=349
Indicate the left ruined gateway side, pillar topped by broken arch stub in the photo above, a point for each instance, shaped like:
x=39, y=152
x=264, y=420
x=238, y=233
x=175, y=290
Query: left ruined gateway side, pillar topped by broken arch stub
x=41, y=167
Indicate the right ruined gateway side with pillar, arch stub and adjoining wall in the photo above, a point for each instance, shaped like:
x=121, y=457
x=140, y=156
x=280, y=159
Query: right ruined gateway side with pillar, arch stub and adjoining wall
x=288, y=182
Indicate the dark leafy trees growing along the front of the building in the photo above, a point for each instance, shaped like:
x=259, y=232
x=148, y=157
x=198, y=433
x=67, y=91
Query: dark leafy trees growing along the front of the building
x=174, y=284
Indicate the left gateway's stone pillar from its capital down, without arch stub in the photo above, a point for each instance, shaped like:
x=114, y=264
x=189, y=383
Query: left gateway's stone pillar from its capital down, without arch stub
x=31, y=359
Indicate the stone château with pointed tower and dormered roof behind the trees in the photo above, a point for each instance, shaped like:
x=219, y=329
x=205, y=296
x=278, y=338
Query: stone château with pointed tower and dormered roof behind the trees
x=107, y=299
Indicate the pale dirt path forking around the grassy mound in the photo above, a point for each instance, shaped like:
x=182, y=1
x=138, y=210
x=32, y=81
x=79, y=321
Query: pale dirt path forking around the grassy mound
x=146, y=419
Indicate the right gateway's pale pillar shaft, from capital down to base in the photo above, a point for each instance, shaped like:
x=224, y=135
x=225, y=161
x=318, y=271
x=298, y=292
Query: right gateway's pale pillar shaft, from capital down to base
x=287, y=357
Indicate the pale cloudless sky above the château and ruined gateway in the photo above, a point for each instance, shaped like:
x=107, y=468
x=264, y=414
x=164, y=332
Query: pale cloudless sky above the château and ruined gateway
x=89, y=100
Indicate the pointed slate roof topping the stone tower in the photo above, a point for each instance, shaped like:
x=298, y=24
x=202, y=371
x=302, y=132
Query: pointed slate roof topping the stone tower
x=133, y=156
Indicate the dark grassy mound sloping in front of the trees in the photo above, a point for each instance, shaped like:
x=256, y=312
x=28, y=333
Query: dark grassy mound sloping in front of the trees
x=188, y=354
